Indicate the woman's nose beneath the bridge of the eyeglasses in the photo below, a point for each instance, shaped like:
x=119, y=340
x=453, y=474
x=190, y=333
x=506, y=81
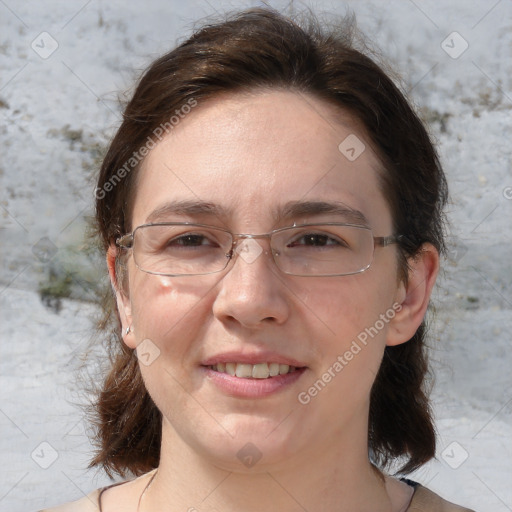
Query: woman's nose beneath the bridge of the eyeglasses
x=252, y=293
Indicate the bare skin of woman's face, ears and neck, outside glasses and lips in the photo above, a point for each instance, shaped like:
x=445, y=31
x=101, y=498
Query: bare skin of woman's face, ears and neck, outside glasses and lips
x=250, y=154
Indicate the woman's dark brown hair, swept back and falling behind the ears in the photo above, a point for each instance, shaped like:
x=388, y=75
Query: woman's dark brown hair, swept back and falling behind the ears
x=262, y=48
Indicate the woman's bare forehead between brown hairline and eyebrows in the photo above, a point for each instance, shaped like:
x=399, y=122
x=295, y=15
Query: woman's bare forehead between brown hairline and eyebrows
x=252, y=154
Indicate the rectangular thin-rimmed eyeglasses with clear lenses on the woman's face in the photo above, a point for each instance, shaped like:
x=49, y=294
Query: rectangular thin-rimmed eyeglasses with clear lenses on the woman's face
x=185, y=249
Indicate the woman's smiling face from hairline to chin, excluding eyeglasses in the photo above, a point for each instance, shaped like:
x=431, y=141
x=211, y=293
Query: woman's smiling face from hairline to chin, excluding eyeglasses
x=250, y=158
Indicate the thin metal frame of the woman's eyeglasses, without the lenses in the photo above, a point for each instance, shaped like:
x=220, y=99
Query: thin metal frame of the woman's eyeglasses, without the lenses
x=381, y=241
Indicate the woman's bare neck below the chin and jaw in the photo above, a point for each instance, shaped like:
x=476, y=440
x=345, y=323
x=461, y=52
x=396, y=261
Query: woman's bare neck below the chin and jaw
x=334, y=478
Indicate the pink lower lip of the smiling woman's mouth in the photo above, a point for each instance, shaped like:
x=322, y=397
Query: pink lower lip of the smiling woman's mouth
x=252, y=388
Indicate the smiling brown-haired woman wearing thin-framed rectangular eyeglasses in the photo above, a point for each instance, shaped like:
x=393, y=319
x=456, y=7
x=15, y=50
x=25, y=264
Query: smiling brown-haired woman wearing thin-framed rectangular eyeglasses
x=271, y=210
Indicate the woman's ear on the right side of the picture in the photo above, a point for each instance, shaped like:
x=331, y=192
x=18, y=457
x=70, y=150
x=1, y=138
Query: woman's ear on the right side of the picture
x=413, y=298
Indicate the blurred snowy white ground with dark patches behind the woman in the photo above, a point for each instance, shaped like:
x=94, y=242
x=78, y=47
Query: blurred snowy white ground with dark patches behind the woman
x=55, y=114
